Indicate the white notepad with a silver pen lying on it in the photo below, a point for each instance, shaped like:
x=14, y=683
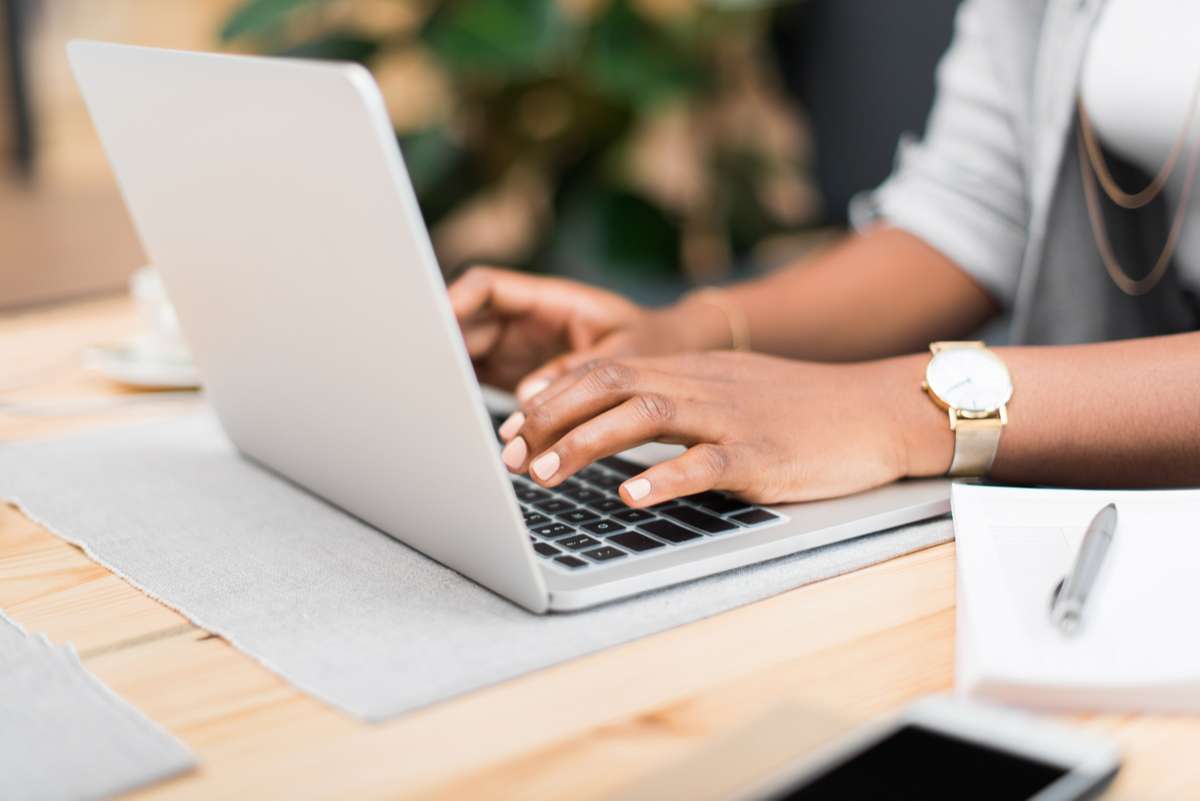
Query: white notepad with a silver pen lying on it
x=1139, y=649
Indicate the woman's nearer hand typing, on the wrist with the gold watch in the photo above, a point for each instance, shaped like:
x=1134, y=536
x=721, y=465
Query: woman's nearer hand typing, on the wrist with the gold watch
x=766, y=429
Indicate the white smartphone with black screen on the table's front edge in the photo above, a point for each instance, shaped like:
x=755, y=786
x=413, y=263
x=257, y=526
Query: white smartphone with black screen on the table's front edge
x=944, y=749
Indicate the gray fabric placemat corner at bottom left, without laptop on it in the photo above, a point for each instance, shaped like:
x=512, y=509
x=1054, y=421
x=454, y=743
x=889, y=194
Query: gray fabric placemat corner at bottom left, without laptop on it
x=64, y=736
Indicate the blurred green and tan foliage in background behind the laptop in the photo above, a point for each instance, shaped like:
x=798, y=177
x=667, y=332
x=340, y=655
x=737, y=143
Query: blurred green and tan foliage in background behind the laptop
x=635, y=136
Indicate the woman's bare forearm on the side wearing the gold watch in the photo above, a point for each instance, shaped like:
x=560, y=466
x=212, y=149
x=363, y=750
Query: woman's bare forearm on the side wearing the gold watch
x=1120, y=414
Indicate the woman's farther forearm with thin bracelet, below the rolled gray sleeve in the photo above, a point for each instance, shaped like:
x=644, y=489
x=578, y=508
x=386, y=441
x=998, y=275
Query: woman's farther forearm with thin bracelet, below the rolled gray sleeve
x=877, y=294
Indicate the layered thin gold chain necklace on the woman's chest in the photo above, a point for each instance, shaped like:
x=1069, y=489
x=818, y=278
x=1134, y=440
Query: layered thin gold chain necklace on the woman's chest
x=1094, y=167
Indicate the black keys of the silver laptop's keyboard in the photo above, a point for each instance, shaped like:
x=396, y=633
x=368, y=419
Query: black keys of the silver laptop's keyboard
x=584, y=525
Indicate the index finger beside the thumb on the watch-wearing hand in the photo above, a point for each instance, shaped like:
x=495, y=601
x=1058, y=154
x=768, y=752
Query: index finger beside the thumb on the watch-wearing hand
x=641, y=419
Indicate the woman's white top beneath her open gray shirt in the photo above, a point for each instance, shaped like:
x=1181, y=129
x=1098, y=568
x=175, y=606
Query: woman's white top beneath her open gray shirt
x=1142, y=70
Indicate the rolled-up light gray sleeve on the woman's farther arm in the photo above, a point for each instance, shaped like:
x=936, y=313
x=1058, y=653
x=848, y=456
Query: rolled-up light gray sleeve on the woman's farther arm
x=962, y=189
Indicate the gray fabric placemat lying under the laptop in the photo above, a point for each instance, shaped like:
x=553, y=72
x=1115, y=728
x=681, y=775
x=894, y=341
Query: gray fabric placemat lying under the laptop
x=335, y=607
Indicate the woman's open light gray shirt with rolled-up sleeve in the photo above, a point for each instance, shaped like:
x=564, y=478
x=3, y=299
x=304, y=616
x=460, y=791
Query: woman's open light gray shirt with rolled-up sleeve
x=997, y=185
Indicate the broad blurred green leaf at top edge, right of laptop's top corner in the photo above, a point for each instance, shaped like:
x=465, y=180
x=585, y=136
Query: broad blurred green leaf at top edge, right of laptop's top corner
x=502, y=39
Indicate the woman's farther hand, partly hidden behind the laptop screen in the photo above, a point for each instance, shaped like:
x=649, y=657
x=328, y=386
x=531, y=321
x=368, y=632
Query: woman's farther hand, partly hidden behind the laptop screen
x=523, y=332
